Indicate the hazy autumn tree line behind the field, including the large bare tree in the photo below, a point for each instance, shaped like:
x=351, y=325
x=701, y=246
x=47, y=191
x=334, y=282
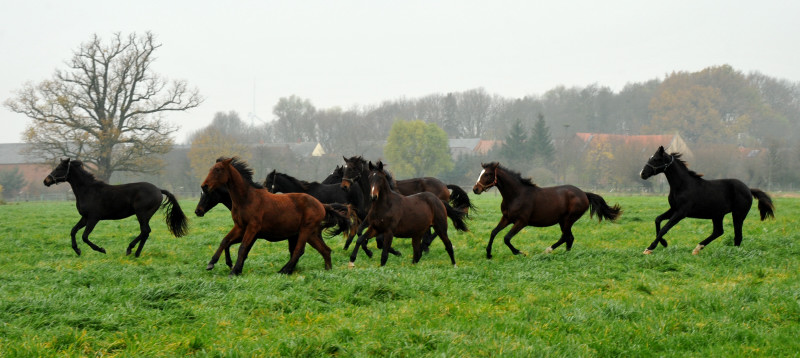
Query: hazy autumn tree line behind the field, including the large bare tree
x=107, y=108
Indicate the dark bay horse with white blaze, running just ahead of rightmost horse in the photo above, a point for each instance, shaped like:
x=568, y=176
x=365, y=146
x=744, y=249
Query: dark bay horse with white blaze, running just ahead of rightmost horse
x=526, y=204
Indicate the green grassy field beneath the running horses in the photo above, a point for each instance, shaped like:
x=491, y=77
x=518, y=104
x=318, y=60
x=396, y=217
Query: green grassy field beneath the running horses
x=604, y=298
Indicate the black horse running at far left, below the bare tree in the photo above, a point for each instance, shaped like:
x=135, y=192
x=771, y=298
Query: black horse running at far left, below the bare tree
x=97, y=201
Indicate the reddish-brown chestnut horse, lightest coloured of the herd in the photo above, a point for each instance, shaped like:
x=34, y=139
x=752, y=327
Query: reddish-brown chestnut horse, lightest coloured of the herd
x=259, y=213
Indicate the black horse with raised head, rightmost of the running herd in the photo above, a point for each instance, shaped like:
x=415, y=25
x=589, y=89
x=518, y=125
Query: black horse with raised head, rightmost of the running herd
x=694, y=197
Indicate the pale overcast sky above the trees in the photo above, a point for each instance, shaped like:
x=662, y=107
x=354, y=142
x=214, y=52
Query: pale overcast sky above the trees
x=244, y=56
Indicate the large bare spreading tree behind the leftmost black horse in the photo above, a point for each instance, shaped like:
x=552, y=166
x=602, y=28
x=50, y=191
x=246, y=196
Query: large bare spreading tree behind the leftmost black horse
x=106, y=109
